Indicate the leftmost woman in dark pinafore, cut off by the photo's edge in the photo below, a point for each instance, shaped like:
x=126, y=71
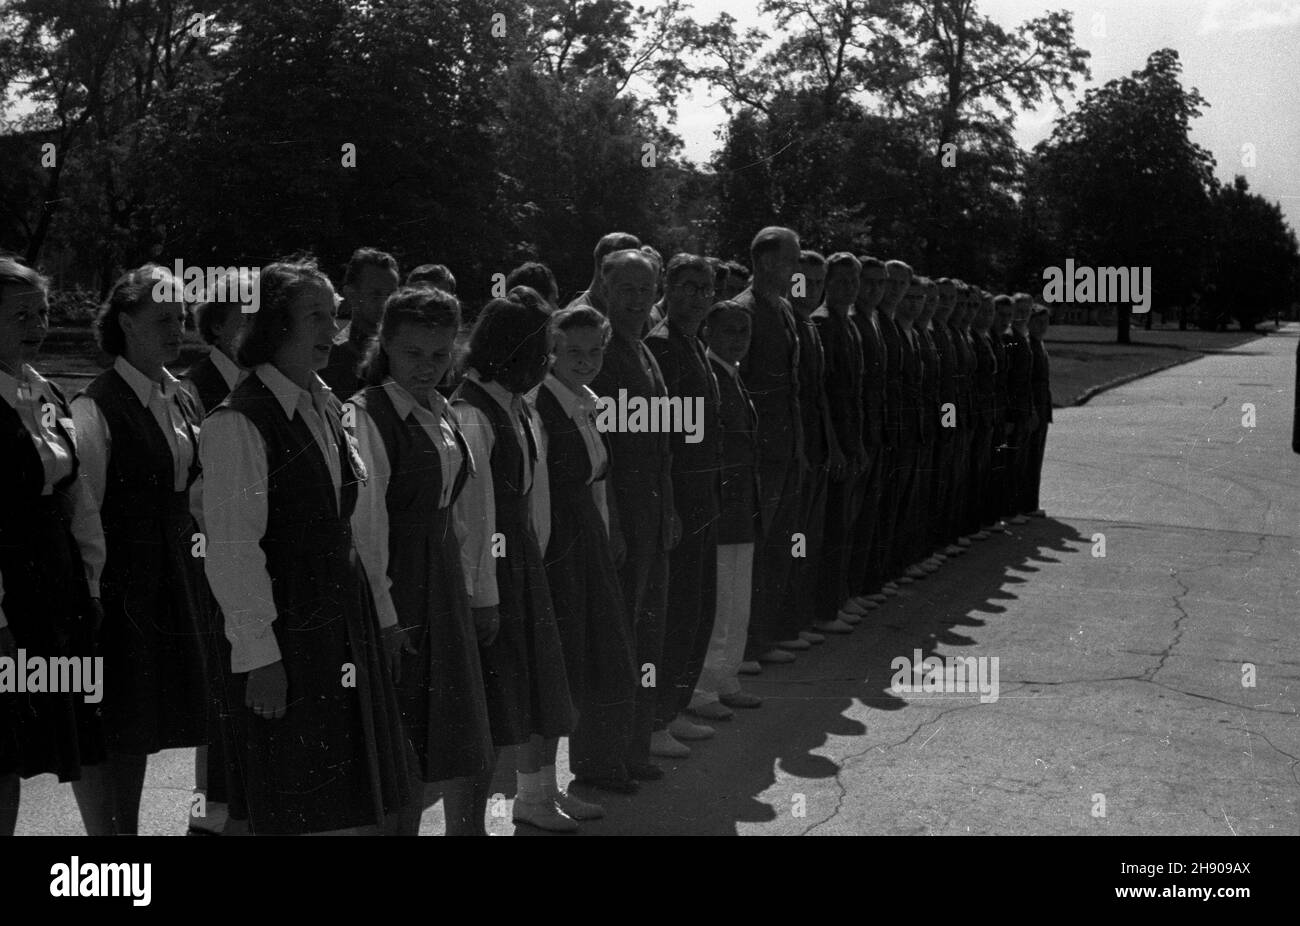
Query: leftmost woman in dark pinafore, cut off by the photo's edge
x=45, y=604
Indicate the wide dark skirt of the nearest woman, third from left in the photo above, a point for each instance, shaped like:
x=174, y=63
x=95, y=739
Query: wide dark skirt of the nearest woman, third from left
x=339, y=759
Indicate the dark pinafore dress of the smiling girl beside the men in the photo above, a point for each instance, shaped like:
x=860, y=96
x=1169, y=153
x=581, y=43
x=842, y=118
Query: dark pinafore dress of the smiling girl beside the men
x=600, y=648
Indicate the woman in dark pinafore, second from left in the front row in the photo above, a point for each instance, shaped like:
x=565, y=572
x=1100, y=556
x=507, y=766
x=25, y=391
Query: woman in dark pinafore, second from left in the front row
x=137, y=434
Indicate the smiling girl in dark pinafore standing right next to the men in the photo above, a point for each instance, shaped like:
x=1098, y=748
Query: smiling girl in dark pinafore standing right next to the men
x=583, y=556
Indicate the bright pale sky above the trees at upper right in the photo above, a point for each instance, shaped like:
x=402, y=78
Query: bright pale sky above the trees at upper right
x=1242, y=55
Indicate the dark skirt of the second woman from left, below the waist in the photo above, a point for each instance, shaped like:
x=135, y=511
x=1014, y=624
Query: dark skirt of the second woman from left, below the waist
x=153, y=639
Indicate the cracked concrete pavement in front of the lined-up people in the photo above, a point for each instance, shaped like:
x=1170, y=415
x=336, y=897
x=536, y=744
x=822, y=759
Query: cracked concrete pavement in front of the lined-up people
x=1121, y=706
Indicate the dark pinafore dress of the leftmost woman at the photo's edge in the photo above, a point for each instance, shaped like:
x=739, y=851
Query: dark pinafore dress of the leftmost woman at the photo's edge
x=47, y=605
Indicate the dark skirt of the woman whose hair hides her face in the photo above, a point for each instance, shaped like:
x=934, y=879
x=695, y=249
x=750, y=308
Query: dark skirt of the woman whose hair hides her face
x=525, y=674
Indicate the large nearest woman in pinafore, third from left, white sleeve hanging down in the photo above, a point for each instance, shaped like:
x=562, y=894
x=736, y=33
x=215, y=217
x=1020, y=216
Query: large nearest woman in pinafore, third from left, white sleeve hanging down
x=320, y=745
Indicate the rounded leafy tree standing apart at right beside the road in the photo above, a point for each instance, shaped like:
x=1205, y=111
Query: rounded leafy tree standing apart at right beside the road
x=1121, y=184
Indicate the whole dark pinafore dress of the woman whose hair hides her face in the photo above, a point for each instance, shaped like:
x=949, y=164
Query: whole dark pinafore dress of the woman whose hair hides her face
x=525, y=672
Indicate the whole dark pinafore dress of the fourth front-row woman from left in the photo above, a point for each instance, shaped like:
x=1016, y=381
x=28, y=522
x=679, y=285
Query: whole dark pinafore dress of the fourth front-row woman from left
x=441, y=690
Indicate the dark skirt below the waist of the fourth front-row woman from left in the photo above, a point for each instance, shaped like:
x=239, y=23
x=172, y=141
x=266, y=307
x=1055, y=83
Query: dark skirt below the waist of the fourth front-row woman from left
x=441, y=689
